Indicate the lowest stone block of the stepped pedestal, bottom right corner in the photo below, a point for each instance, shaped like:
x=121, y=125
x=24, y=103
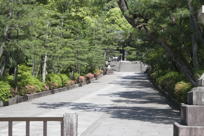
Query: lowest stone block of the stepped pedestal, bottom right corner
x=182, y=130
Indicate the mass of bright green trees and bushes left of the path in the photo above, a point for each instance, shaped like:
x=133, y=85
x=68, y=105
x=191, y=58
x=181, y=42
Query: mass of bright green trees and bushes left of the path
x=76, y=36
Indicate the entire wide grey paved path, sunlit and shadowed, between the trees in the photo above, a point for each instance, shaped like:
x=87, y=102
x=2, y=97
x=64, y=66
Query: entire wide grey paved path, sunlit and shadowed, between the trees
x=122, y=104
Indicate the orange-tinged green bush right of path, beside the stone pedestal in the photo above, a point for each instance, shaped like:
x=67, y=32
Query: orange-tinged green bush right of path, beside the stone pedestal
x=181, y=90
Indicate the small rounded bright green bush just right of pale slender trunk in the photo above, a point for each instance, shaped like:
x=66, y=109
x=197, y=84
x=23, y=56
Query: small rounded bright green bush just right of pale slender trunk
x=54, y=81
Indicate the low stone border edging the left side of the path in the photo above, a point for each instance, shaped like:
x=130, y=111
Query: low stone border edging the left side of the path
x=27, y=97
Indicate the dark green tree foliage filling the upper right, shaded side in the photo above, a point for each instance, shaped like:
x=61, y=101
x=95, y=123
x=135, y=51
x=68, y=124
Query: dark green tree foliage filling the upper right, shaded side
x=163, y=35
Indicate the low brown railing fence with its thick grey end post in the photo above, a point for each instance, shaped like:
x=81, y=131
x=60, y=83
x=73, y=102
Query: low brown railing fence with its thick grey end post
x=69, y=124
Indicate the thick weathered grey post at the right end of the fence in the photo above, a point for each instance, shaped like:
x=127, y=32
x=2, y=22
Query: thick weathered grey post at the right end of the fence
x=70, y=124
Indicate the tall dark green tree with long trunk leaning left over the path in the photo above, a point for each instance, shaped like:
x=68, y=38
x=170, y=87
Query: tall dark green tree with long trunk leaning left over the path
x=158, y=20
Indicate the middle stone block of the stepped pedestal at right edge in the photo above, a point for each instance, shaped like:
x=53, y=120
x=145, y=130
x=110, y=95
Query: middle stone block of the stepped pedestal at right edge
x=192, y=115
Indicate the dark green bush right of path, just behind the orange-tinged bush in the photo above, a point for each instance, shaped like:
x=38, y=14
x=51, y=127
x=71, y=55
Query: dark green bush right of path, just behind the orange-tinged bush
x=168, y=81
